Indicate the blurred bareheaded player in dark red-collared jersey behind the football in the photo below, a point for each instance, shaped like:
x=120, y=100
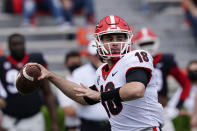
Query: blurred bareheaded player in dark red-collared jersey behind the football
x=22, y=112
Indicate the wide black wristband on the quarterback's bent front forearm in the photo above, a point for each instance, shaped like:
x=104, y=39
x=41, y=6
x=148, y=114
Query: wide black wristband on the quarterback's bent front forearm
x=111, y=95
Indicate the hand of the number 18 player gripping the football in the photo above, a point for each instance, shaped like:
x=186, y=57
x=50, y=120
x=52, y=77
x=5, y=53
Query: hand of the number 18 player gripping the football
x=44, y=72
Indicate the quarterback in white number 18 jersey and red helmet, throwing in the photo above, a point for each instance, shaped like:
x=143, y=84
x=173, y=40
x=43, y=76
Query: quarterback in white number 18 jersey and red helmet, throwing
x=125, y=84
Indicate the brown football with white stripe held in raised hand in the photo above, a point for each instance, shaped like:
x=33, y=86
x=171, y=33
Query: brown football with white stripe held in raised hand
x=27, y=80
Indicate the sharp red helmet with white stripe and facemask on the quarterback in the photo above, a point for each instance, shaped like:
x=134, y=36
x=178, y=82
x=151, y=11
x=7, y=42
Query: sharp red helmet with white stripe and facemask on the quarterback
x=108, y=25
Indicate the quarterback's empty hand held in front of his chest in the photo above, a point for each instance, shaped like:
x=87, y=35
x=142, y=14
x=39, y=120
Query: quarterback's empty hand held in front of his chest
x=86, y=91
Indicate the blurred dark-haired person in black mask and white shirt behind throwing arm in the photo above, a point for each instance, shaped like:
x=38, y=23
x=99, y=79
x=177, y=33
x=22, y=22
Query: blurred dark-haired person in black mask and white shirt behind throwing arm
x=73, y=60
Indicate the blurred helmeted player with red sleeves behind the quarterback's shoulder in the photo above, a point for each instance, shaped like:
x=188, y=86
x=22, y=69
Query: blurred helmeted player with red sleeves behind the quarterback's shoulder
x=165, y=65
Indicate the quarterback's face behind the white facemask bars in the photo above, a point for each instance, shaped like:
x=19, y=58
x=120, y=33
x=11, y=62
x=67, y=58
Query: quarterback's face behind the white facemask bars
x=114, y=42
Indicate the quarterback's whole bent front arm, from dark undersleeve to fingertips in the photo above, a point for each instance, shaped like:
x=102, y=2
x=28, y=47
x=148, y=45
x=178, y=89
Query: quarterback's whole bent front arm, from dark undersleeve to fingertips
x=137, y=79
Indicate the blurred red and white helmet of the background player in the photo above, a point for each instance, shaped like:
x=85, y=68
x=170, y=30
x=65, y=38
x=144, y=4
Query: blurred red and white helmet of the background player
x=147, y=40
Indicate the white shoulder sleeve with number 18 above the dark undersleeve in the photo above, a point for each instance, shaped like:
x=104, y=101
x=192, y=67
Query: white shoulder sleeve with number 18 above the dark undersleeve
x=139, y=59
